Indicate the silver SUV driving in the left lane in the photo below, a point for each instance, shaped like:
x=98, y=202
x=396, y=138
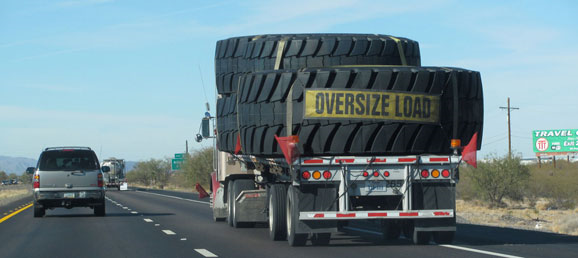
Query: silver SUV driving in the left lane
x=68, y=177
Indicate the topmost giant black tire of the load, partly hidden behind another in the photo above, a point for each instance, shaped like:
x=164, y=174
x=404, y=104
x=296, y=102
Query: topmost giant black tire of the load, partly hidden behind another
x=237, y=56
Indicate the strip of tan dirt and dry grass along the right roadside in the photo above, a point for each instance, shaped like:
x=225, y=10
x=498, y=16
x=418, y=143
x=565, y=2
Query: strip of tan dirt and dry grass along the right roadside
x=519, y=216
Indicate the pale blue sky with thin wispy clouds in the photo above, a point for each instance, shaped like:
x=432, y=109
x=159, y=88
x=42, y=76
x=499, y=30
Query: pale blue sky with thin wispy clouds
x=126, y=77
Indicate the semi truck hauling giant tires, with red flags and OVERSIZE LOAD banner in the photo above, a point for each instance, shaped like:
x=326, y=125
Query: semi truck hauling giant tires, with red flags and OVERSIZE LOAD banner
x=316, y=131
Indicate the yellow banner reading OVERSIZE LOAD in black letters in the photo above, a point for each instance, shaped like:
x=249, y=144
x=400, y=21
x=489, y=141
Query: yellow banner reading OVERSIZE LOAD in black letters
x=366, y=104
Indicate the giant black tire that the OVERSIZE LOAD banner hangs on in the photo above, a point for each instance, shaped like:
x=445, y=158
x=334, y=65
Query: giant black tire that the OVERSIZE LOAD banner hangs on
x=262, y=108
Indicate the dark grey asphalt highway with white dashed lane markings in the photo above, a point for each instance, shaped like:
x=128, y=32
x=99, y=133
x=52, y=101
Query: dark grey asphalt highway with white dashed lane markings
x=147, y=223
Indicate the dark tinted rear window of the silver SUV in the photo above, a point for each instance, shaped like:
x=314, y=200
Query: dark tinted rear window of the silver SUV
x=68, y=160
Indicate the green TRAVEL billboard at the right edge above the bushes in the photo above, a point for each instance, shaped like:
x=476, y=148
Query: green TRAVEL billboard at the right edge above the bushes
x=549, y=142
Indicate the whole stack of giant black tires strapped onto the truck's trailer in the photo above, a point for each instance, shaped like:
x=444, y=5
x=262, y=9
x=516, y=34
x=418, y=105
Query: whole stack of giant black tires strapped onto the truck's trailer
x=258, y=86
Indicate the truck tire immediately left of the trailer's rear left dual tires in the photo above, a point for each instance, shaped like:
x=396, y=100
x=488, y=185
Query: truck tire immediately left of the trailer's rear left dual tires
x=277, y=212
